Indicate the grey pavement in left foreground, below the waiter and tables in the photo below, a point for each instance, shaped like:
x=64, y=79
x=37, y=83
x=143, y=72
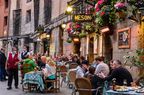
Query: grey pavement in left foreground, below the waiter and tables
x=3, y=91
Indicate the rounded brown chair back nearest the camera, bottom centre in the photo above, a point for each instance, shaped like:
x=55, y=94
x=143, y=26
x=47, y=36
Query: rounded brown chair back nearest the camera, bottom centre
x=83, y=83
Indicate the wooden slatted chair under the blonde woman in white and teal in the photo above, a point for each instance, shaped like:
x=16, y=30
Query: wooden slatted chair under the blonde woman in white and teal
x=55, y=82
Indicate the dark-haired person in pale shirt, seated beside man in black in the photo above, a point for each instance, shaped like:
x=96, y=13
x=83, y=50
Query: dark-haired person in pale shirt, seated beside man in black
x=101, y=67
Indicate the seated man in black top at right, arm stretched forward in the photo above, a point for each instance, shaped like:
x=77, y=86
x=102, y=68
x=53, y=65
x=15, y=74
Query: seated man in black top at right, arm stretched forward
x=120, y=73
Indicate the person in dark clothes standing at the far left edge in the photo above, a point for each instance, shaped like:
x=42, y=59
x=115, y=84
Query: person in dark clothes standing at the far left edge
x=2, y=65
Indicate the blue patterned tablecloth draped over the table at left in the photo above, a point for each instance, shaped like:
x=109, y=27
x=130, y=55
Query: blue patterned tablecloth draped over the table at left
x=34, y=78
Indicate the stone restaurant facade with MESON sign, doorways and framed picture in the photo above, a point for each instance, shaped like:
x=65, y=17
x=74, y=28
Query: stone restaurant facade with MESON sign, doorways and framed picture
x=113, y=41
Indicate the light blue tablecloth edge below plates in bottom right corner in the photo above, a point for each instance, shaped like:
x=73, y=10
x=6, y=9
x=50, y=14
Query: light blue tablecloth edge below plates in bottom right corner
x=111, y=92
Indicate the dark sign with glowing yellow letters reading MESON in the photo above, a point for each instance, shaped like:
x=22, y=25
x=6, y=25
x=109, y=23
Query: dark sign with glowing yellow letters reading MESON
x=82, y=18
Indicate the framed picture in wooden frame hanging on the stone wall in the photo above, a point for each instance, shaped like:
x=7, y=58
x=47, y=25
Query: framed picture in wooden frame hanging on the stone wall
x=124, y=38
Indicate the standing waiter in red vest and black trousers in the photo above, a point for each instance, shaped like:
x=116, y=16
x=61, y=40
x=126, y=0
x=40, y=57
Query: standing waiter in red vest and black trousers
x=12, y=67
